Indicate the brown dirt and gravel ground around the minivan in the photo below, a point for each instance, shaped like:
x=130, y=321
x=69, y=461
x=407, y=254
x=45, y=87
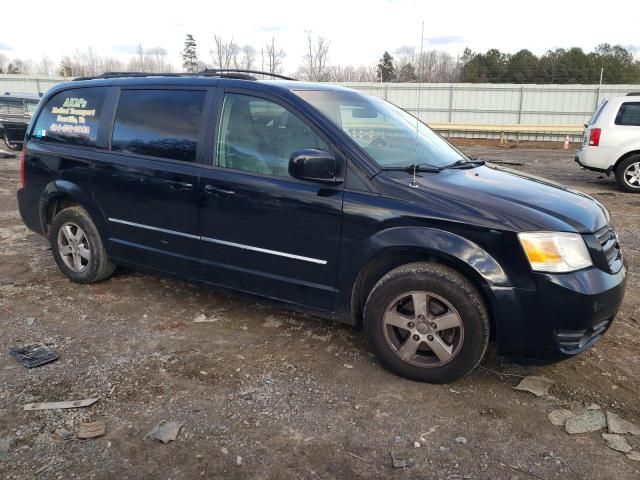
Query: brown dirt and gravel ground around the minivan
x=268, y=394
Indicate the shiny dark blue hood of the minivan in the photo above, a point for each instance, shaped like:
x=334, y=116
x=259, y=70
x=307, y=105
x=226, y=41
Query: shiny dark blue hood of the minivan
x=502, y=198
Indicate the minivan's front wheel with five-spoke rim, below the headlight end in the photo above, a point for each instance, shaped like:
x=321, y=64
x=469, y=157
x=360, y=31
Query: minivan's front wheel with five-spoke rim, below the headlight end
x=426, y=322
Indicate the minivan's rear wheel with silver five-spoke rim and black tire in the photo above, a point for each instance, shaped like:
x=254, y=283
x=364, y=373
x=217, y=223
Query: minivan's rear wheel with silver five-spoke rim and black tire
x=77, y=247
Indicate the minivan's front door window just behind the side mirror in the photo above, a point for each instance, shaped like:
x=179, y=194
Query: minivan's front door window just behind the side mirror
x=259, y=136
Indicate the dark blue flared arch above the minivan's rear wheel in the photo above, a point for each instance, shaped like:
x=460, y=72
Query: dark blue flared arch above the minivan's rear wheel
x=64, y=189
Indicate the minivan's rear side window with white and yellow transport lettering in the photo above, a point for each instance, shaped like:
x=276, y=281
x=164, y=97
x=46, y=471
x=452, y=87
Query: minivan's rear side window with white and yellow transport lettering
x=71, y=117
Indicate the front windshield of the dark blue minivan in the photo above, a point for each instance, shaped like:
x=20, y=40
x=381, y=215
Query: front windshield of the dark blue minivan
x=391, y=136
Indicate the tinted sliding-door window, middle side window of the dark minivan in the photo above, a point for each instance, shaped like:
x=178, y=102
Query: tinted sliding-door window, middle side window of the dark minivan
x=158, y=123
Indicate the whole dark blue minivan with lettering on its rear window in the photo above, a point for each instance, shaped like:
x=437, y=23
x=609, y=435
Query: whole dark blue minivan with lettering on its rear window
x=326, y=199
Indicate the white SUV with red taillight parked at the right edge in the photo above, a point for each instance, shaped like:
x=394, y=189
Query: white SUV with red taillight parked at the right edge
x=612, y=141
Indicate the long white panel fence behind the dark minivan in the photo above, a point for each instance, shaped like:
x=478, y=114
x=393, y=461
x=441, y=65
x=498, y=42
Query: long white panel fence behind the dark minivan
x=447, y=105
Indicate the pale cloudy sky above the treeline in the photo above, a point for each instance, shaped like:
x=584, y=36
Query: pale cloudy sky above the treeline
x=358, y=31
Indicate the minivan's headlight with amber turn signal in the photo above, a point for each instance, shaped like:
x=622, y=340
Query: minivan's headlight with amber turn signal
x=555, y=251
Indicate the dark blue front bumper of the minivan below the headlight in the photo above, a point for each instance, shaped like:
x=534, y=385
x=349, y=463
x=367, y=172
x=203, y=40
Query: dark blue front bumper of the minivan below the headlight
x=563, y=316
